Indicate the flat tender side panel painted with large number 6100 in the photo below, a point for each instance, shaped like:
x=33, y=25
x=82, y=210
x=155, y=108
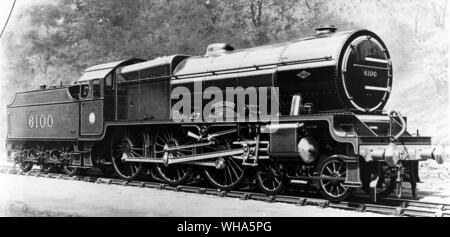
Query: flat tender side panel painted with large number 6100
x=59, y=121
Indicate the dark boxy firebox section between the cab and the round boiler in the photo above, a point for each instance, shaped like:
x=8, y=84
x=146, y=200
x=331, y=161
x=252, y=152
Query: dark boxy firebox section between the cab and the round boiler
x=143, y=89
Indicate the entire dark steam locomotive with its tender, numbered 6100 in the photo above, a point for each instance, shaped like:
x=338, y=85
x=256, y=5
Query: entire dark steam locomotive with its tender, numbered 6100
x=331, y=131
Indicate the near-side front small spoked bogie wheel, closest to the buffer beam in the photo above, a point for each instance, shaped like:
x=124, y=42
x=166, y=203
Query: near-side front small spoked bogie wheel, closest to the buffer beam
x=333, y=190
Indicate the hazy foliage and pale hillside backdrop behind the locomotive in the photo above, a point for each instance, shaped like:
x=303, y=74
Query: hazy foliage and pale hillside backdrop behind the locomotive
x=54, y=41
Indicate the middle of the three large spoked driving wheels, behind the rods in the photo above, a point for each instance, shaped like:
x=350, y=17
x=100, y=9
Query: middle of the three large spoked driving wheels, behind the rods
x=173, y=174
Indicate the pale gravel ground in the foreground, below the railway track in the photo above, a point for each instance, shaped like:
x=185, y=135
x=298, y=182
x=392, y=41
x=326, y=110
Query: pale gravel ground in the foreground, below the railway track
x=31, y=196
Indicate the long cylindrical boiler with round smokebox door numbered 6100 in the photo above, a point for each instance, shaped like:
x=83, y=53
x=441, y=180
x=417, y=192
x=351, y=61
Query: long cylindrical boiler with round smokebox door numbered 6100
x=349, y=70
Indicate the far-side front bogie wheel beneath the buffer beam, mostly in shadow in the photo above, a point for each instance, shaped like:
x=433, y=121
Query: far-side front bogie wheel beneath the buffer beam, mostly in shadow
x=386, y=182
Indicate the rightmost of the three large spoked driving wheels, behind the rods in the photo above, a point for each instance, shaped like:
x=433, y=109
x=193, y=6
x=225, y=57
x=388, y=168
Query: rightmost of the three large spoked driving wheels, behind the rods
x=228, y=174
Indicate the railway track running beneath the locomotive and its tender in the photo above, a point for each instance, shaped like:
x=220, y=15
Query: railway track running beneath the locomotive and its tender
x=358, y=203
